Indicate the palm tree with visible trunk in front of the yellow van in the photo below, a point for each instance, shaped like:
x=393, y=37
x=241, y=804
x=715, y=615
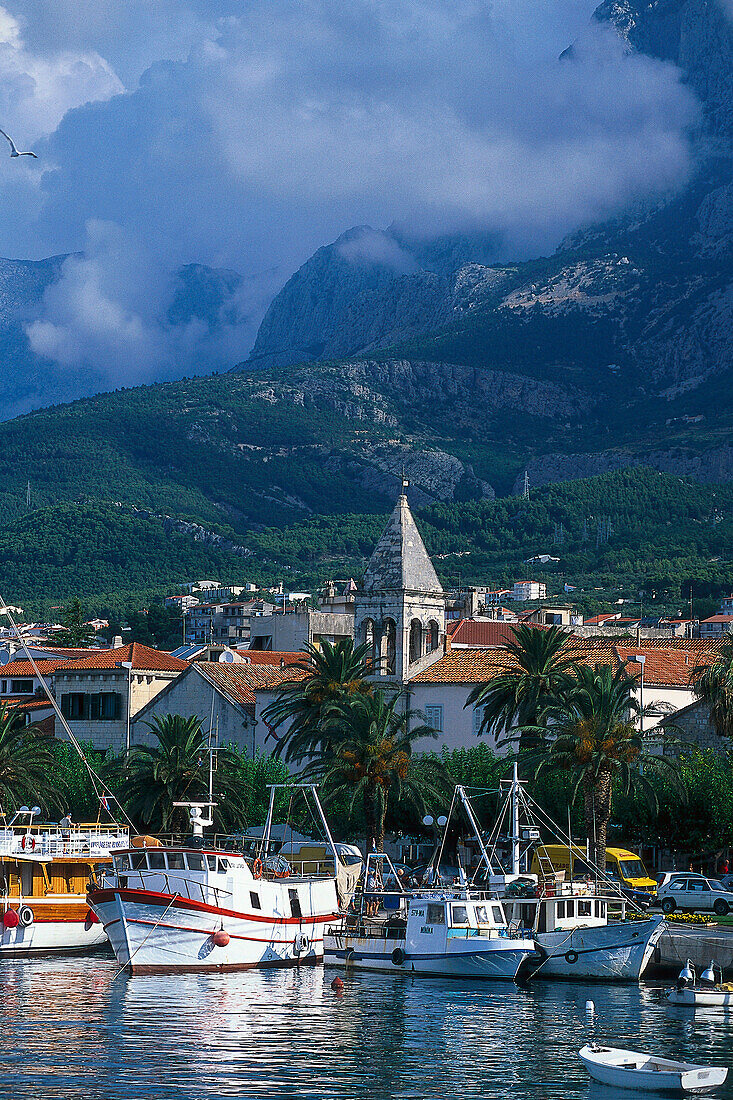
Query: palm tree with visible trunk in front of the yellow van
x=595, y=736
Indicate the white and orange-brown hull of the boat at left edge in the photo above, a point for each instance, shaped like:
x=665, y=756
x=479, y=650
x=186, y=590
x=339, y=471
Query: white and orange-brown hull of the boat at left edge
x=60, y=926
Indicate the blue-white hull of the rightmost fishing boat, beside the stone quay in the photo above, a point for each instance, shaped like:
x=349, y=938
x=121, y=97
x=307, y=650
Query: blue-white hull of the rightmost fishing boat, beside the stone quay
x=615, y=952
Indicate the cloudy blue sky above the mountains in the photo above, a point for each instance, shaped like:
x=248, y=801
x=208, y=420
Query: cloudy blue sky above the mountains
x=246, y=136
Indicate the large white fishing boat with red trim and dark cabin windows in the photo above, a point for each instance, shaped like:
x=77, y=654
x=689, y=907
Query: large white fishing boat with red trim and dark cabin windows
x=195, y=907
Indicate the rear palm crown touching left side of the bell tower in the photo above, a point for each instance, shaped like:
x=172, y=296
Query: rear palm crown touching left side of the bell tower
x=329, y=675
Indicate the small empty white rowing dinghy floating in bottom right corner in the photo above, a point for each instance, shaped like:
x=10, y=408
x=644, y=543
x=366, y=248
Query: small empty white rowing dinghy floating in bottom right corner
x=632, y=1070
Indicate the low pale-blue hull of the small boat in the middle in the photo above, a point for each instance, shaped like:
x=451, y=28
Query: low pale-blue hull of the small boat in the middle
x=494, y=961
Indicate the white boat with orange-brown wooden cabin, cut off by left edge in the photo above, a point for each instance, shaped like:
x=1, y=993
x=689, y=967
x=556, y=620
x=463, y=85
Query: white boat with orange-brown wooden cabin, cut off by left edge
x=45, y=874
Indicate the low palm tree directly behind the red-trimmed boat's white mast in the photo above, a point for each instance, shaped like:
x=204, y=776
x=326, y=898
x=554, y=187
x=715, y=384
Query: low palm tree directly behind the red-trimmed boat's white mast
x=177, y=769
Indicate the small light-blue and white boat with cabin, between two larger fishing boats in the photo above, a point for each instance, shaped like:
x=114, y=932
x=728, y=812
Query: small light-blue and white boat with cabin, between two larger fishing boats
x=458, y=933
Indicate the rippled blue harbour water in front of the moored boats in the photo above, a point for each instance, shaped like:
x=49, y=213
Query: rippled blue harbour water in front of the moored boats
x=70, y=1029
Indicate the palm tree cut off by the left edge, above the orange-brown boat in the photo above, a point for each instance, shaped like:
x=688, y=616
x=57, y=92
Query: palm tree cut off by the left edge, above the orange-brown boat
x=27, y=765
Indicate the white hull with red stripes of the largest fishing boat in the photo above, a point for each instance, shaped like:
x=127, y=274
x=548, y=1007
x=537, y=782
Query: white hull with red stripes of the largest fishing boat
x=159, y=933
